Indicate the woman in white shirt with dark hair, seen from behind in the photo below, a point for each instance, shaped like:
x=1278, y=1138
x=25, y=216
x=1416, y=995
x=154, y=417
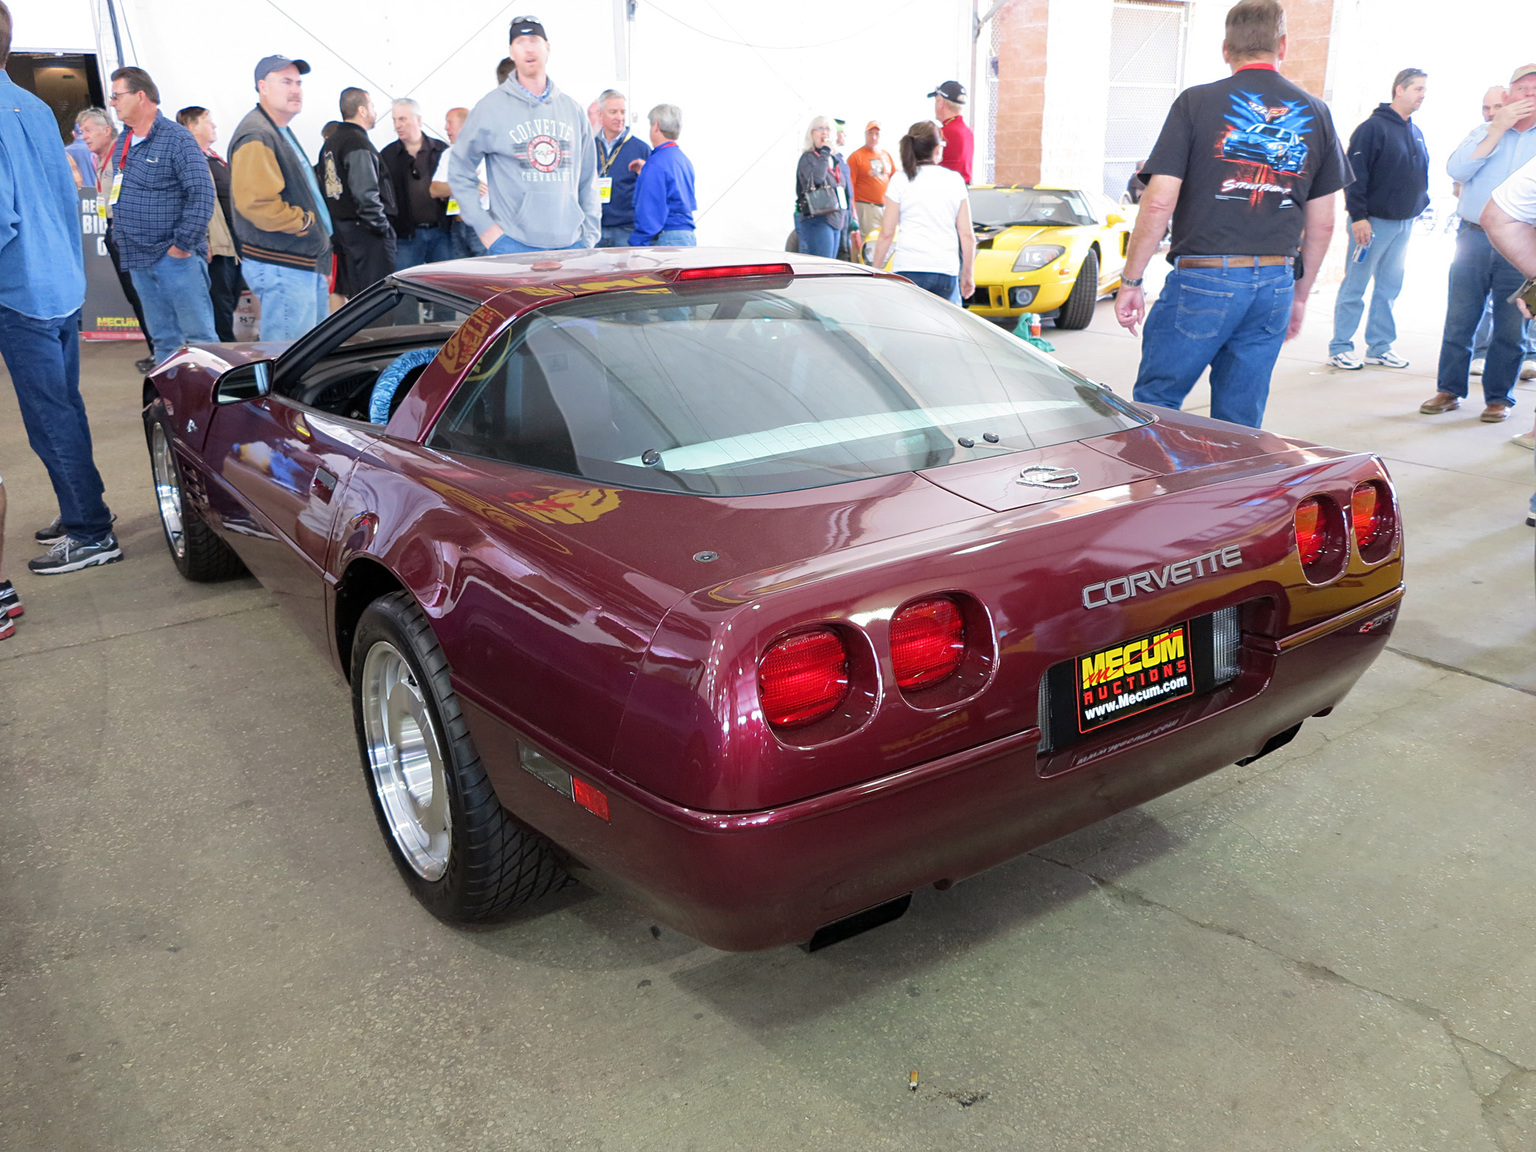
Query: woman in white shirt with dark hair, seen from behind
x=929, y=220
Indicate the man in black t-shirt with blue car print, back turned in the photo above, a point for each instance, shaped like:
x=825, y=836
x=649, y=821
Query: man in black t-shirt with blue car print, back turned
x=1250, y=170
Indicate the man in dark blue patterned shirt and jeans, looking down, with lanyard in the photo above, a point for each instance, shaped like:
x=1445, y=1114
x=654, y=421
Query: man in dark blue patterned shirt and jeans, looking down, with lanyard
x=162, y=202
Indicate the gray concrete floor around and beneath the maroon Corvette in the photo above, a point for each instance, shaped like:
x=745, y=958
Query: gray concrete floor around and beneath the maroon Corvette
x=204, y=942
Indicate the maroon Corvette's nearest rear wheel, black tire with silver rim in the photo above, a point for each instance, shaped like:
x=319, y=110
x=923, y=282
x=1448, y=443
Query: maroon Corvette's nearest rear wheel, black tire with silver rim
x=458, y=850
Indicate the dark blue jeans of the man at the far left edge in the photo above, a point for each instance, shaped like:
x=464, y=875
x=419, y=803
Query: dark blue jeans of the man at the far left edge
x=44, y=357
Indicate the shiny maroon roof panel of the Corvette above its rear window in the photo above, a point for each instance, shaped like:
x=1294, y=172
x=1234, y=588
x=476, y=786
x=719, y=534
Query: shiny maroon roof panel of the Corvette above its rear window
x=526, y=277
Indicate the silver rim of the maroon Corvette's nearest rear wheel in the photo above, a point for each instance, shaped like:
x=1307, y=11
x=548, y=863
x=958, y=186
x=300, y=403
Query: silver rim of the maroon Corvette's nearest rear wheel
x=406, y=760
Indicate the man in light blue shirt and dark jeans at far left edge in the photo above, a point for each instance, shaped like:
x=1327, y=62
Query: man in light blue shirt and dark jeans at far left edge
x=42, y=288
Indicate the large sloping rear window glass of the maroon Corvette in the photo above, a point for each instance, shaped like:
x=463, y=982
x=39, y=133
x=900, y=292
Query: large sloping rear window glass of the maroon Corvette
x=773, y=388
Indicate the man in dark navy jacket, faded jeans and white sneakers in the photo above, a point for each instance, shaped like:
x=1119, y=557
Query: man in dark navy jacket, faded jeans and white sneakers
x=1391, y=190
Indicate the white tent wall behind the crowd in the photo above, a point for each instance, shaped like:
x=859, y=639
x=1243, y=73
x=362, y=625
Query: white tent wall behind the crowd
x=747, y=78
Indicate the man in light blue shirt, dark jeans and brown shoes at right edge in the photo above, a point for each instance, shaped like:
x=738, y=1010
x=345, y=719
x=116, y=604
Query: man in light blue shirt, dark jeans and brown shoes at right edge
x=1486, y=159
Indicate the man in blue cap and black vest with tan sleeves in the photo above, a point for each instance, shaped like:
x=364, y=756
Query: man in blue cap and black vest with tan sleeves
x=280, y=216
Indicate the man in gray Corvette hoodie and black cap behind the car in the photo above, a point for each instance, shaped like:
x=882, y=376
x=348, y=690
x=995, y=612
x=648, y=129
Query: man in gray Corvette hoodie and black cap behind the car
x=540, y=159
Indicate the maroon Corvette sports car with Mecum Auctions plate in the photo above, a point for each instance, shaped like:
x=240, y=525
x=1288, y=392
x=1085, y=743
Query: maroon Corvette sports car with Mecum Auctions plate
x=758, y=592
